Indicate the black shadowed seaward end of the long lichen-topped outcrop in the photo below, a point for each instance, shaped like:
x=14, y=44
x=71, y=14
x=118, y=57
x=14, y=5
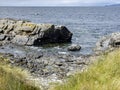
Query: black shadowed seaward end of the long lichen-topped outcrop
x=54, y=34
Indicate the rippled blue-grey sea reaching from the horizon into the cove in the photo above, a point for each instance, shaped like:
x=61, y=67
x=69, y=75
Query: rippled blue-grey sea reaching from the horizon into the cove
x=87, y=24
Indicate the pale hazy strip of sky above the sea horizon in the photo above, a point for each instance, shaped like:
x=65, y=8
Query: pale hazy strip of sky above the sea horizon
x=56, y=2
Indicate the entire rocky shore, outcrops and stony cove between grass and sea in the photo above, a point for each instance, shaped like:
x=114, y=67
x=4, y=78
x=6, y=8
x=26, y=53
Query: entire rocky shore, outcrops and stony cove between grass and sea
x=20, y=41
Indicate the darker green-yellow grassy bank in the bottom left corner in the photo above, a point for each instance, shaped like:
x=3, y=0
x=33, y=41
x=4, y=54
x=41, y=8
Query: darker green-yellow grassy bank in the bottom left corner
x=13, y=78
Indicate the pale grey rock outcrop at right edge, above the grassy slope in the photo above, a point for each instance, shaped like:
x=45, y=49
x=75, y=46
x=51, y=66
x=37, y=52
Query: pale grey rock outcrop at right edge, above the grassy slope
x=107, y=42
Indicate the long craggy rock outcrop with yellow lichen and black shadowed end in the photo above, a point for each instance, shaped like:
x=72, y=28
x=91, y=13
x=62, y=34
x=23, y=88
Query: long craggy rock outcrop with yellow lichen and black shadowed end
x=23, y=32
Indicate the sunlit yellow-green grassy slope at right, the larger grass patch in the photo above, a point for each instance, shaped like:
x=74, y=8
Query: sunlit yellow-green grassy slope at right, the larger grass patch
x=104, y=74
